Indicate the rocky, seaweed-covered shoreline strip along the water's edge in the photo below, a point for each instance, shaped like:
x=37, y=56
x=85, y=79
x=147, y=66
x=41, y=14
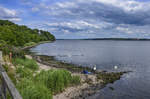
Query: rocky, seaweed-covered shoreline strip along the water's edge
x=102, y=78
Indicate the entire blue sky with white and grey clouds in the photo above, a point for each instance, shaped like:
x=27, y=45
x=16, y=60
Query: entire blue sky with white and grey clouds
x=76, y=19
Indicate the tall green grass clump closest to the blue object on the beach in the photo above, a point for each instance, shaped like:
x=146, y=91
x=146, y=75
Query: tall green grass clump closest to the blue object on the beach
x=56, y=80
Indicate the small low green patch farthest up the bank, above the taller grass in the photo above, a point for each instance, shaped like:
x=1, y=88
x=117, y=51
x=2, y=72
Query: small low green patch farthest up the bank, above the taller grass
x=27, y=63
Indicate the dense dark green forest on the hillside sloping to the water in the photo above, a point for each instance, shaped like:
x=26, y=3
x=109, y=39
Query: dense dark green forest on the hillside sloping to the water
x=19, y=35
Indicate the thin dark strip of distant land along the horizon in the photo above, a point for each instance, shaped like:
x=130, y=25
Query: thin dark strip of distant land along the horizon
x=124, y=39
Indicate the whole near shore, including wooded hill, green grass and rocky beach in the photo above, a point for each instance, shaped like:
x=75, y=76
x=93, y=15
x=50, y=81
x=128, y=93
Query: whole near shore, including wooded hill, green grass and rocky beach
x=43, y=77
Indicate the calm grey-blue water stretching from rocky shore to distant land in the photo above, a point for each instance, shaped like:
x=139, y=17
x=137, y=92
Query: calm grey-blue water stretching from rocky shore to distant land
x=105, y=54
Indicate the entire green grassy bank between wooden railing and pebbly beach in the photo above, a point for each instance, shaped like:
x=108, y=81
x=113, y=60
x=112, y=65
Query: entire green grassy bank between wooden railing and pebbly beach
x=38, y=85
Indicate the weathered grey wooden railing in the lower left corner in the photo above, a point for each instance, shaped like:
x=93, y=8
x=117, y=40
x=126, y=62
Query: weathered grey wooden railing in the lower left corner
x=6, y=84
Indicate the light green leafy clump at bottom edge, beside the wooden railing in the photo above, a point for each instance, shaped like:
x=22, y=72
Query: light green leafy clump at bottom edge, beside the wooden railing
x=32, y=90
